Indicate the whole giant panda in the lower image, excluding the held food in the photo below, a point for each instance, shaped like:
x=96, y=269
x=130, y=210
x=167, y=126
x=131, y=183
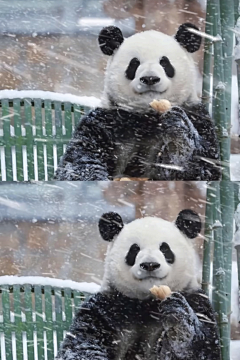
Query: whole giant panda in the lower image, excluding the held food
x=124, y=321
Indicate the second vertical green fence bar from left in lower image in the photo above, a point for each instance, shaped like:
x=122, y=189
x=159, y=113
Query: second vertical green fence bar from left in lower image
x=18, y=321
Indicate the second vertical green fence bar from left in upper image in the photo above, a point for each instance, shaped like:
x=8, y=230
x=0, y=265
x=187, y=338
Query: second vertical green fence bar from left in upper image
x=18, y=138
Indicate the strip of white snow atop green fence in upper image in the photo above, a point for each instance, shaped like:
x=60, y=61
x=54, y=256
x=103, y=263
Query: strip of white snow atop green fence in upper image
x=90, y=101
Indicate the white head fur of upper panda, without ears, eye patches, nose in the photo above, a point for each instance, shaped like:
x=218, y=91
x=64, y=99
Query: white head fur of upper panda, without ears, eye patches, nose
x=149, y=47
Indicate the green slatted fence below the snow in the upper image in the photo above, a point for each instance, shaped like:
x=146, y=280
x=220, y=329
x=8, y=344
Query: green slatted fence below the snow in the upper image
x=33, y=136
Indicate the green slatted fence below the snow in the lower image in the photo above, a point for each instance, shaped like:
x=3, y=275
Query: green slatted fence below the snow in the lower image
x=34, y=319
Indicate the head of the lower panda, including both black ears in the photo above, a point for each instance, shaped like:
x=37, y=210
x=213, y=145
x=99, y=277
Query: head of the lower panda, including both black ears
x=149, y=251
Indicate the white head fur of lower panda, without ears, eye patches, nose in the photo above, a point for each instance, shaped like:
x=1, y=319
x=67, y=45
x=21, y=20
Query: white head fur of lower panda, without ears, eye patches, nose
x=149, y=233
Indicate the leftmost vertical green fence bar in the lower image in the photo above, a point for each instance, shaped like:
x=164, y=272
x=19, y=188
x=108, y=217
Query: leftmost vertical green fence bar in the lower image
x=7, y=324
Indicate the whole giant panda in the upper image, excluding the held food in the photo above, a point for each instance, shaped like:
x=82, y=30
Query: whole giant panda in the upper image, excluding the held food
x=126, y=137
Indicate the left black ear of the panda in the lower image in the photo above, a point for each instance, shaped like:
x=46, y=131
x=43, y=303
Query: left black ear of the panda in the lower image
x=110, y=225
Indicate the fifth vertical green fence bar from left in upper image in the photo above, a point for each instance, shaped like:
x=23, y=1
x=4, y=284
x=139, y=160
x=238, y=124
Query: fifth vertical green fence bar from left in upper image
x=49, y=138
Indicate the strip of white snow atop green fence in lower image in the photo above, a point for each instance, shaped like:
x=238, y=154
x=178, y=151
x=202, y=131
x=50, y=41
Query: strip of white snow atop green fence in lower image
x=90, y=288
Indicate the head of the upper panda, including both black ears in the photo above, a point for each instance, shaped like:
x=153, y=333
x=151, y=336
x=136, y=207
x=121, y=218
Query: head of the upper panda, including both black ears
x=149, y=65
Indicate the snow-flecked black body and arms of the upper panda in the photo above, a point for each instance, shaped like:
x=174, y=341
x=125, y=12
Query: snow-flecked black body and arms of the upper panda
x=181, y=144
